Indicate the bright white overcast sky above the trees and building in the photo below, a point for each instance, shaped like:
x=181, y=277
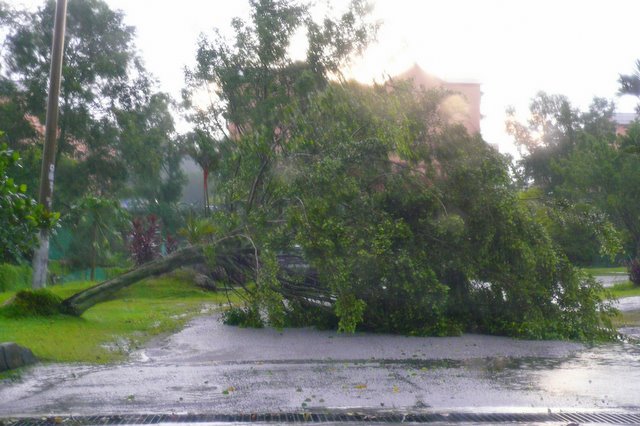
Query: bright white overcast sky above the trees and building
x=514, y=48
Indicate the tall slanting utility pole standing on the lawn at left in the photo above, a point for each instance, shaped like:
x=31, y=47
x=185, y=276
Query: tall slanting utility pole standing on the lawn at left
x=41, y=254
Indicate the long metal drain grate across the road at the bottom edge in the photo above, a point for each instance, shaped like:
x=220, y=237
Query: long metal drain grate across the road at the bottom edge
x=308, y=417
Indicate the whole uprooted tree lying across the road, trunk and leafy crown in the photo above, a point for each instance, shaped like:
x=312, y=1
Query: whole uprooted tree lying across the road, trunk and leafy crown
x=406, y=223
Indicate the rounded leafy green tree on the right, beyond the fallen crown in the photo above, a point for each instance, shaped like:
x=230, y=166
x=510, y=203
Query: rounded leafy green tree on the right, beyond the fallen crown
x=584, y=184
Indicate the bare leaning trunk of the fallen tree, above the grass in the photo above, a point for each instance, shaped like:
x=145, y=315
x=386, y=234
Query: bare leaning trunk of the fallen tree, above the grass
x=80, y=302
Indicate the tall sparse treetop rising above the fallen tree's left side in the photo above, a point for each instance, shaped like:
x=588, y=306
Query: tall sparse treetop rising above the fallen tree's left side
x=253, y=81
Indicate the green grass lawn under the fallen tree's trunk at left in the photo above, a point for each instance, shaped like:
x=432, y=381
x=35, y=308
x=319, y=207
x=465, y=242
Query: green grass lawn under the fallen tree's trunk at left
x=103, y=333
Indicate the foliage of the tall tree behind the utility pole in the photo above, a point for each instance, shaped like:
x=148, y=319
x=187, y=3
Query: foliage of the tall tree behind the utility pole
x=117, y=136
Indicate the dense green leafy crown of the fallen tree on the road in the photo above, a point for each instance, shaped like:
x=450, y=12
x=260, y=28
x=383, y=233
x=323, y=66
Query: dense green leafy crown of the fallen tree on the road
x=421, y=232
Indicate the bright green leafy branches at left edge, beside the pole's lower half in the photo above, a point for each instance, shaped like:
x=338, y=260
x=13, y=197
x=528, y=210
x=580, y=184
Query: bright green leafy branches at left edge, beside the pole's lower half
x=20, y=216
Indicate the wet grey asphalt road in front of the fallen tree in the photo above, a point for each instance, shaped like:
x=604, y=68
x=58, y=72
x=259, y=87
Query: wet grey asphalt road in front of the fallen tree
x=212, y=368
